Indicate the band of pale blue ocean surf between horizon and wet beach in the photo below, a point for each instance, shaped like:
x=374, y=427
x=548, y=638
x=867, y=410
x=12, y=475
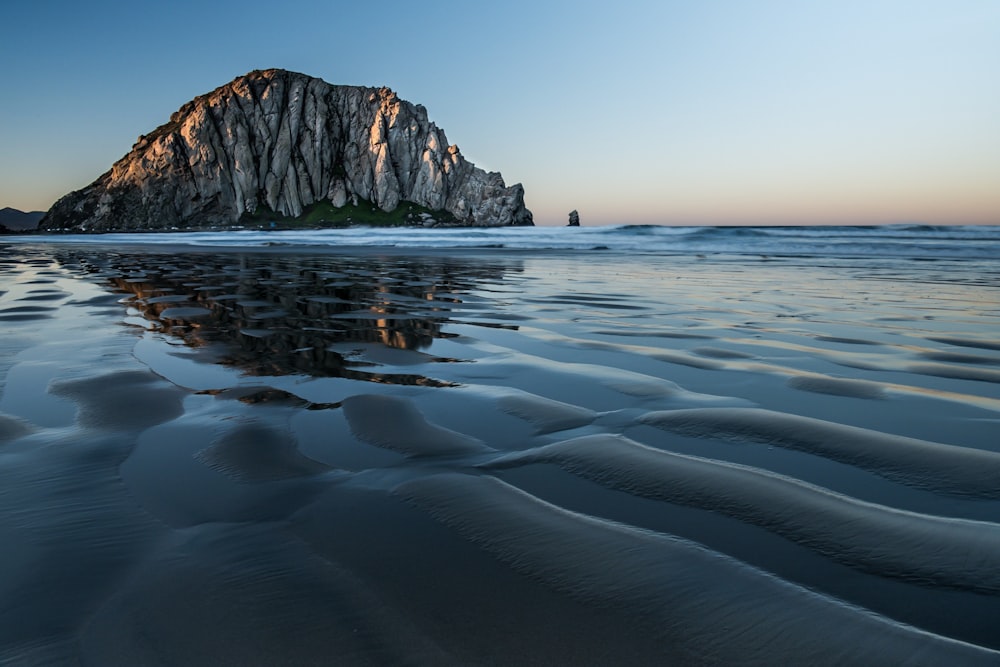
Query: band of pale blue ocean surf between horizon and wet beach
x=905, y=241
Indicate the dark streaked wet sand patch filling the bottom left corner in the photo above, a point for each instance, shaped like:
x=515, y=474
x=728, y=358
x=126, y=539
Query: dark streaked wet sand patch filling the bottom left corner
x=73, y=534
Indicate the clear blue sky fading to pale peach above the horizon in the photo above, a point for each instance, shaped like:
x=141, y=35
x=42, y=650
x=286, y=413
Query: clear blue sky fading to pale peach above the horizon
x=696, y=112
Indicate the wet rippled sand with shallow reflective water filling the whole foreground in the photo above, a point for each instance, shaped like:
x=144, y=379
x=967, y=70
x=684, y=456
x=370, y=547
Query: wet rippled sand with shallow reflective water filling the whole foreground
x=235, y=457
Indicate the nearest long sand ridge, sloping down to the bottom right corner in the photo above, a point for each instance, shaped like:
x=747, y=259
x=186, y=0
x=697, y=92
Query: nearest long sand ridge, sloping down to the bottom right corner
x=681, y=590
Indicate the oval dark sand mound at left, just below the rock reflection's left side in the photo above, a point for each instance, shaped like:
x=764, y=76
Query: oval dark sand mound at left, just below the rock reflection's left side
x=127, y=400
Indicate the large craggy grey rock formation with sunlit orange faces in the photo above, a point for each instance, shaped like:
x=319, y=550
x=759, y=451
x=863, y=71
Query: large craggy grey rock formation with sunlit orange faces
x=284, y=141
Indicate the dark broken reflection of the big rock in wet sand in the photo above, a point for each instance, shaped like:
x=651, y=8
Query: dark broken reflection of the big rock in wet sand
x=271, y=316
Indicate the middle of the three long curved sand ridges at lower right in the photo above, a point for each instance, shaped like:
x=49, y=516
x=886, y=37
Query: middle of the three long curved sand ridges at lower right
x=923, y=549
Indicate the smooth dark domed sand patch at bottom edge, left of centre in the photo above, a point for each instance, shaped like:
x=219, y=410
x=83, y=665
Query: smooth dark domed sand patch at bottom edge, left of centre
x=253, y=596
